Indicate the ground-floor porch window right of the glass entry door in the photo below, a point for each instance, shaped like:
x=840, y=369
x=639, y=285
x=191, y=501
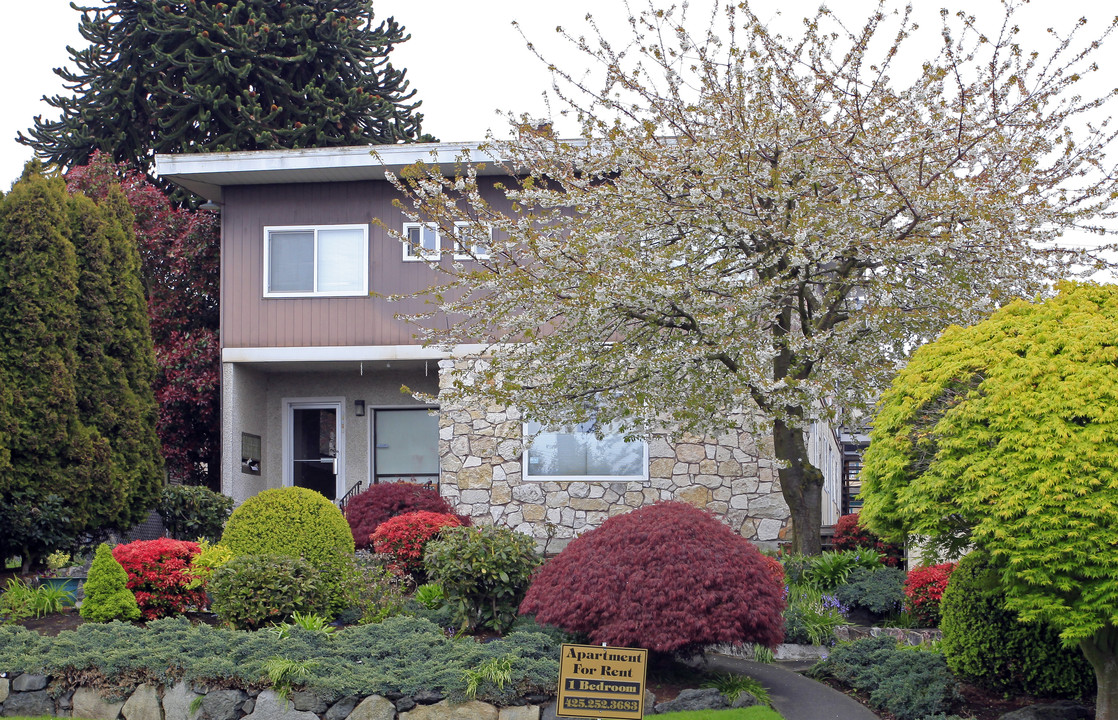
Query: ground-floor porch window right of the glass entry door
x=406, y=447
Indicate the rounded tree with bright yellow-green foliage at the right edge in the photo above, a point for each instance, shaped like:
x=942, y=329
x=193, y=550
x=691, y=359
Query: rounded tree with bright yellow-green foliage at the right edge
x=1005, y=437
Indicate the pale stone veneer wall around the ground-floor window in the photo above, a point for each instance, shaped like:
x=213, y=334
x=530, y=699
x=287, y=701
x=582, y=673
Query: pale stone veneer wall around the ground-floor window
x=482, y=475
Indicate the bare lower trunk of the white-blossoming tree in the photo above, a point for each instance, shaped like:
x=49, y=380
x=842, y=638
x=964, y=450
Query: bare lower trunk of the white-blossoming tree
x=802, y=485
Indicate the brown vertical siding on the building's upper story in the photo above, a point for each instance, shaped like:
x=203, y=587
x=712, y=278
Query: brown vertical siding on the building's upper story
x=250, y=320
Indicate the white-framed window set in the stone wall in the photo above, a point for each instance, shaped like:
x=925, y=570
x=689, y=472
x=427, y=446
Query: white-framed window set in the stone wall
x=576, y=454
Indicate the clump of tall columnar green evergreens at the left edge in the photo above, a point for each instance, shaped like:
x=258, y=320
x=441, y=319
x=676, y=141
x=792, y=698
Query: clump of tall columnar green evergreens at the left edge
x=78, y=447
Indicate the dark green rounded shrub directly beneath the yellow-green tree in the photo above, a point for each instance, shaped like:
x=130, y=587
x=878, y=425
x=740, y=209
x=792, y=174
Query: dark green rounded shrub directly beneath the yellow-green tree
x=987, y=646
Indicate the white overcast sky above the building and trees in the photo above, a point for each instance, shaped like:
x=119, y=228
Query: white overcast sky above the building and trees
x=466, y=60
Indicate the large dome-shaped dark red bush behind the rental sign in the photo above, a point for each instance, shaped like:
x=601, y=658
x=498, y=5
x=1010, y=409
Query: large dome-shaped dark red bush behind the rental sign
x=664, y=577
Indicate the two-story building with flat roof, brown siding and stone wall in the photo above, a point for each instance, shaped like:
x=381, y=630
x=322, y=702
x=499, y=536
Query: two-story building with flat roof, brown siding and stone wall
x=315, y=361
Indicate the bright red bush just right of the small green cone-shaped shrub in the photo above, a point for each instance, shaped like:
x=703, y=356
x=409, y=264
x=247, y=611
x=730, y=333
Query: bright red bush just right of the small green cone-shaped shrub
x=159, y=573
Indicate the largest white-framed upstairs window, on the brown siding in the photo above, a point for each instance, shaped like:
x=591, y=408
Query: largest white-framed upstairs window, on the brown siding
x=317, y=260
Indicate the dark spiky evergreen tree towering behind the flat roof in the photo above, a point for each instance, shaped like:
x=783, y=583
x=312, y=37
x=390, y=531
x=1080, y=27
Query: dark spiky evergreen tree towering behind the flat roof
x=215, y=77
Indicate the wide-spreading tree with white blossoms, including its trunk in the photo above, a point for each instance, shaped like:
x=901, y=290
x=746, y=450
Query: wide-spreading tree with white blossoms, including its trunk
x=763, y=224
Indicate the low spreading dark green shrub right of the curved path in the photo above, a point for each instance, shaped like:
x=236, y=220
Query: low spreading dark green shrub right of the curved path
x=911, y=684
